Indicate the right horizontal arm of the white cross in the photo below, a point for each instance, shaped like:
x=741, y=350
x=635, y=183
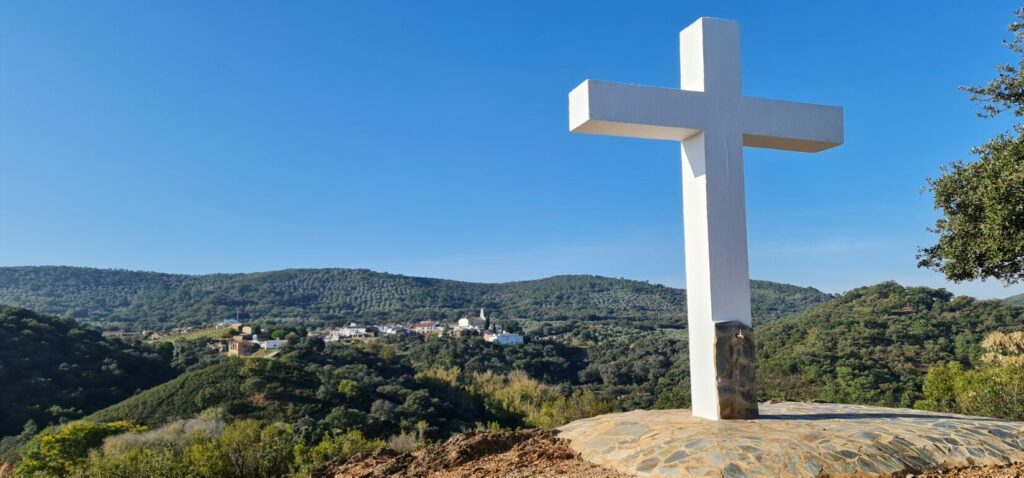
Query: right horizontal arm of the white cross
x=791, y=126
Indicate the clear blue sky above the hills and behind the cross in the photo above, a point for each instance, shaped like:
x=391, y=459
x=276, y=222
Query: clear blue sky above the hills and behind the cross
x=431, y=139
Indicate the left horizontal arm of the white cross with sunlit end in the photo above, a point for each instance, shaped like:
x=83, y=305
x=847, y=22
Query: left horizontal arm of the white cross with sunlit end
x=639, y=112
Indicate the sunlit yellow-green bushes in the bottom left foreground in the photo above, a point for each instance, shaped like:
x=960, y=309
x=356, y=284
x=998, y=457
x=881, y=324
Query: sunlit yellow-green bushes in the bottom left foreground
x=204, y=447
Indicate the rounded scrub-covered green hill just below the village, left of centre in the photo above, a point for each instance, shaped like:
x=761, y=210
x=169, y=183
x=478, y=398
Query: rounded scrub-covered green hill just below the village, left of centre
x=317, y=387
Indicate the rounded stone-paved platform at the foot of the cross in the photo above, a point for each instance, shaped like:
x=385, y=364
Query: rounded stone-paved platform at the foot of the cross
x=795, y=440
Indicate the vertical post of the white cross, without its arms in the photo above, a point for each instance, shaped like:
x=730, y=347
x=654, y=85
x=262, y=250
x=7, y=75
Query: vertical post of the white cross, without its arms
x=718, y=287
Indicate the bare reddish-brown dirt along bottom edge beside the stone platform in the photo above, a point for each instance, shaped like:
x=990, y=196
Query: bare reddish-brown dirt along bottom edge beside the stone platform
x=526, y=454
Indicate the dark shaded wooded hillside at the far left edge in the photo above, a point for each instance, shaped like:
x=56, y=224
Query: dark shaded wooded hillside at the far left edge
x=54, y=370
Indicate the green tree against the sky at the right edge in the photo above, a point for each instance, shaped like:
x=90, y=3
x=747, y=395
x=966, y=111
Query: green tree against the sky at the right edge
x=982, y=232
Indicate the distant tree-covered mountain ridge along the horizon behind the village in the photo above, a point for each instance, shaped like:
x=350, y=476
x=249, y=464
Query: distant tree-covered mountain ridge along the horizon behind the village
x=338, y=295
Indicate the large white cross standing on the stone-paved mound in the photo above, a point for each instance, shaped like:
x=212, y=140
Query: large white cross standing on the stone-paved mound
x=714, y=121
